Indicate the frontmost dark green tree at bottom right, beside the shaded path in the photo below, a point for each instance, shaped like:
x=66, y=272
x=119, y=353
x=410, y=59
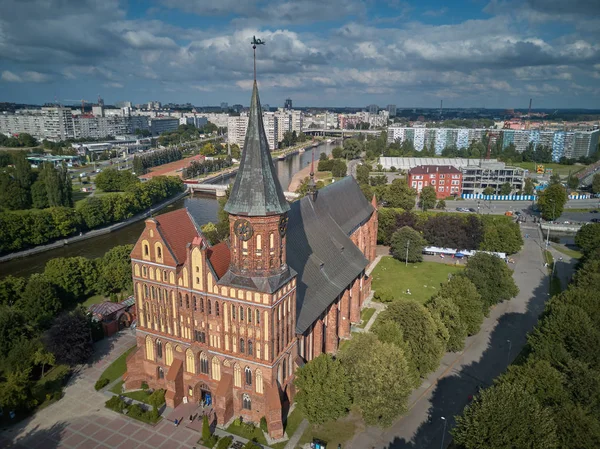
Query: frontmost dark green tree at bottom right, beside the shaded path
x=505, y=416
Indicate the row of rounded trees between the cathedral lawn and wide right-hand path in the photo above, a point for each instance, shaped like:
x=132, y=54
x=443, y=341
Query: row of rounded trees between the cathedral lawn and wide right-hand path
x=376, y=372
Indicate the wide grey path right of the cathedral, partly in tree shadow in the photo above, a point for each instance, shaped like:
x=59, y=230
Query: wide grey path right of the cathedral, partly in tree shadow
x=446, y=392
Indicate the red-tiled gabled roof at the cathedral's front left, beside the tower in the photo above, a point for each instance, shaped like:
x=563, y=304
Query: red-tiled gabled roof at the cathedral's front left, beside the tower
x=178, y=228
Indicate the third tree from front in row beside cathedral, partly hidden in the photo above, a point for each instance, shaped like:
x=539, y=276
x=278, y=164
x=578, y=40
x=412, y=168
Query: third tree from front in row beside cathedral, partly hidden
x=420, y=332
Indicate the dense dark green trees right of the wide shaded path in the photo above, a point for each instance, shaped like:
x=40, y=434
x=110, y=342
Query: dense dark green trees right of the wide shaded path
x=551, y=397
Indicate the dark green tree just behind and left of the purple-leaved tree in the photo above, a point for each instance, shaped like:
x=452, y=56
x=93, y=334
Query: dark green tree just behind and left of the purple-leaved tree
x=39, y=302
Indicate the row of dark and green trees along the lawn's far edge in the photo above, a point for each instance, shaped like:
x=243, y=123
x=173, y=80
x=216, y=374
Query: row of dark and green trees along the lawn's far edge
x=452, y=230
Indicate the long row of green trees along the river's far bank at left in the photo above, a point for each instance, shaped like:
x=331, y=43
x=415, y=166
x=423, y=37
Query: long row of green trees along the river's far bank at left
x=37, y=227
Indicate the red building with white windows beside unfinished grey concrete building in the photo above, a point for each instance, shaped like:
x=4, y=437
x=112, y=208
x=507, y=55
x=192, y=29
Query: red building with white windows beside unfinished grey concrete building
x=446, y=179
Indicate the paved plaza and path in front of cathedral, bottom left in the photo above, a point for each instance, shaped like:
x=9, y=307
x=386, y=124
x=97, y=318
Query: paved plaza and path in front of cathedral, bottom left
x=79, y=420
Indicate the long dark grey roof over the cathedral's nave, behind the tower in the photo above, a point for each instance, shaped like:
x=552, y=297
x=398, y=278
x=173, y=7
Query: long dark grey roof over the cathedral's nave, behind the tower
x=319, y=248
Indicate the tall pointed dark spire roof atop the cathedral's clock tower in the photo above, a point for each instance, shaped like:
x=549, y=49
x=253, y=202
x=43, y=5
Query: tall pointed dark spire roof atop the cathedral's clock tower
x=256, y=191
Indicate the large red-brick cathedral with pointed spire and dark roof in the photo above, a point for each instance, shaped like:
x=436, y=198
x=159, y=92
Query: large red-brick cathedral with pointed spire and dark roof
x=227, y=325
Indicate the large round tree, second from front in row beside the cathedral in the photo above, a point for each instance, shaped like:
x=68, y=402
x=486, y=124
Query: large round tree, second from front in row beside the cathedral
x=380, y=379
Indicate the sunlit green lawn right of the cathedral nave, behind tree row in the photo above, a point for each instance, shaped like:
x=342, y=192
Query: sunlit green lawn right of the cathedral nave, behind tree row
x=422, y=279
